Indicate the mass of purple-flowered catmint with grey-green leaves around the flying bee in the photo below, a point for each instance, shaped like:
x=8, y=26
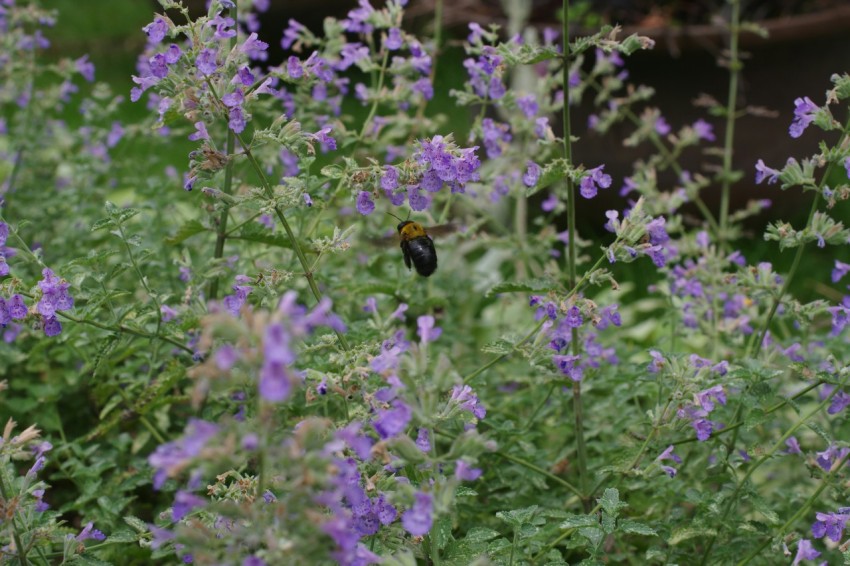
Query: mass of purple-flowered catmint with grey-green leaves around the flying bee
x=230, y=357
